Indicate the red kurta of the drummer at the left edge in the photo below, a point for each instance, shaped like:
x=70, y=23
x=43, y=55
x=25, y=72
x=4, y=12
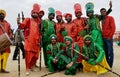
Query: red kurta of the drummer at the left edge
x=7, y=29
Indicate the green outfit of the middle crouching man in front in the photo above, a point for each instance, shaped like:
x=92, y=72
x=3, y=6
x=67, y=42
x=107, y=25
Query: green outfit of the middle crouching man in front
x=71, y=56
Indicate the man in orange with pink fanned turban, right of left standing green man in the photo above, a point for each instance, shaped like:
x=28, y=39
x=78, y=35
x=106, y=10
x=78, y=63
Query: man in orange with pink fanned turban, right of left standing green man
x=59, y=26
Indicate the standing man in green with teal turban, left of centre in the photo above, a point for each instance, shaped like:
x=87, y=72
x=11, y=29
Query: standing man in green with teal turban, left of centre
x=47, y=29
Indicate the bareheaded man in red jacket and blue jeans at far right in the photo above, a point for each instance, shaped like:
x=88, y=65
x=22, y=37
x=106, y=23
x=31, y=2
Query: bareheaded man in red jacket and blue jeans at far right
x=108, y=30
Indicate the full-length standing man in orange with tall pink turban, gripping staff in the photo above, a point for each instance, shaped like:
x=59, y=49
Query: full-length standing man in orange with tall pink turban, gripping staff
x=32, y=41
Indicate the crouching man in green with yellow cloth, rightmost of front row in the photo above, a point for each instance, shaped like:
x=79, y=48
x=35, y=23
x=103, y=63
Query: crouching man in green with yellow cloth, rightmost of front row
x=93, y=55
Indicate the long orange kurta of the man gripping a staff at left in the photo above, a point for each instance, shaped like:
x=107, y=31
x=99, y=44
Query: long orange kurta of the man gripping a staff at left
x=33, y=39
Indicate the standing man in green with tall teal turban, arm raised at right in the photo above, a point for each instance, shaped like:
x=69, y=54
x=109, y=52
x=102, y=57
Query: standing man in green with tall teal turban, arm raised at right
x=93, y=23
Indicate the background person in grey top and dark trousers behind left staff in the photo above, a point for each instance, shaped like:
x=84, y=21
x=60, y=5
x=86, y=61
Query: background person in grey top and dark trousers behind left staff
x=19, y=38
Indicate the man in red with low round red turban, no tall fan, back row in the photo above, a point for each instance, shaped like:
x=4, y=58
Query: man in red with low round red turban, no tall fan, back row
x=70, y=27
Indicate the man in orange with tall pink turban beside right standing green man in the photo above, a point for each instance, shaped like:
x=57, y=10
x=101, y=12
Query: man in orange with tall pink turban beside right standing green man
x=80, y=26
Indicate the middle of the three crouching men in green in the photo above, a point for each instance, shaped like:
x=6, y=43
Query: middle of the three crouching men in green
x=70, y=56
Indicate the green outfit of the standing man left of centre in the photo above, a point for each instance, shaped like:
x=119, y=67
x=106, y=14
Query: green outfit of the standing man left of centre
x=47, y=30
